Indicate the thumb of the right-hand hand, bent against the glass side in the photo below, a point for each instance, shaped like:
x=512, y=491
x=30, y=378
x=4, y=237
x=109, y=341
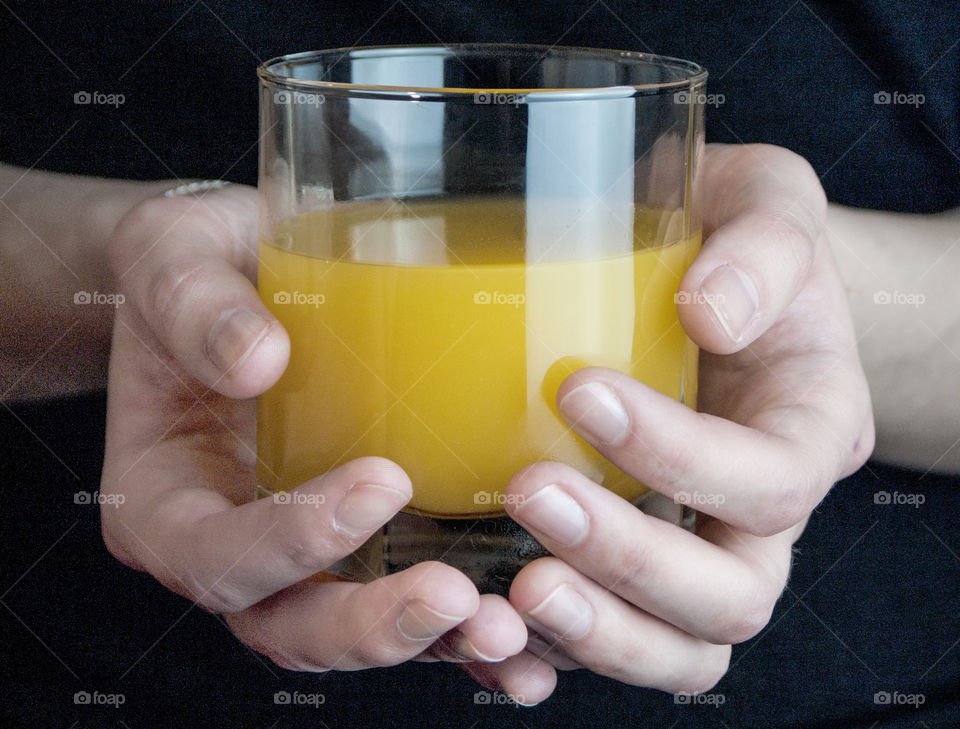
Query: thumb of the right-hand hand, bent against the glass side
x=764, y=208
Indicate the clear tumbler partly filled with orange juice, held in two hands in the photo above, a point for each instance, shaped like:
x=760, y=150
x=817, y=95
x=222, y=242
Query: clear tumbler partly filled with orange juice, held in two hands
x=447, y=232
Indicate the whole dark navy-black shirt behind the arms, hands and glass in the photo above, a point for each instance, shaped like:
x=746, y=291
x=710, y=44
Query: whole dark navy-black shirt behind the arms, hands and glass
x=878, y=585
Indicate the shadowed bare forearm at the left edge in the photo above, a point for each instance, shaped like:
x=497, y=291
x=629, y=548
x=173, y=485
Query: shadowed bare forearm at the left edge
x=53, y=234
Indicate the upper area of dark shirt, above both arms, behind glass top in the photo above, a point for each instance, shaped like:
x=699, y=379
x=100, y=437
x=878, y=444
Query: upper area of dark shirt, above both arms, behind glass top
x=793, y=73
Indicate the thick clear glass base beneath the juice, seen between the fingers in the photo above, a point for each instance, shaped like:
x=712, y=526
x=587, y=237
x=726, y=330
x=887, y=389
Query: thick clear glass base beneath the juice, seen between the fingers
x=490, y=551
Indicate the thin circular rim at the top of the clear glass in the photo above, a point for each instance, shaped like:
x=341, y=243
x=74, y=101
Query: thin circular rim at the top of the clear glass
x=693, y=73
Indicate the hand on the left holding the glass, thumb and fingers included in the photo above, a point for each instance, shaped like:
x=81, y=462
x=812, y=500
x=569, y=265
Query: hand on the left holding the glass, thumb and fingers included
x=190, y=348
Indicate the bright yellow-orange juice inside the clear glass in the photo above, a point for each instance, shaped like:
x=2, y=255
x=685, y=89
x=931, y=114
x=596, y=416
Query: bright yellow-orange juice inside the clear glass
x=447, y=357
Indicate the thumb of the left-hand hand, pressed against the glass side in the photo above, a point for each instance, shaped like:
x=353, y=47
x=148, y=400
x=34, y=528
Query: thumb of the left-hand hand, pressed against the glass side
x=187, y=265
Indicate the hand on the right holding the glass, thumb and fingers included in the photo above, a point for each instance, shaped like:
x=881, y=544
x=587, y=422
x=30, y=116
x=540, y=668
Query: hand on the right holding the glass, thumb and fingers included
x=784, y=413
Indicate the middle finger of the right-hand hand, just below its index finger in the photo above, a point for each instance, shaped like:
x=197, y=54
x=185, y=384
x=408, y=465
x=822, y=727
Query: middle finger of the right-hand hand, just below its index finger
x=716, y=594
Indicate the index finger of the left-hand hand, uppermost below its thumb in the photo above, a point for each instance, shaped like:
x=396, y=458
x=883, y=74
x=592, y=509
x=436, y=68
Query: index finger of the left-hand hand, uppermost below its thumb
x=229, y=557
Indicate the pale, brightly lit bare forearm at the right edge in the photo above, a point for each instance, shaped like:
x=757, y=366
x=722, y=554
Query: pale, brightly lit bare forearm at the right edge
x=901, y=273
